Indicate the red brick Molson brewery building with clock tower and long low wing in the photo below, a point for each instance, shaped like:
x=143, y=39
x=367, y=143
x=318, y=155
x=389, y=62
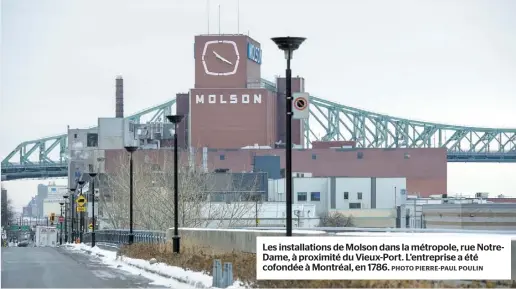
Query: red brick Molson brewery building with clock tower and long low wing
x=228, y=109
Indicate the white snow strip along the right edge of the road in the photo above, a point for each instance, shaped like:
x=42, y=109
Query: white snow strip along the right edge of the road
x=161, y=273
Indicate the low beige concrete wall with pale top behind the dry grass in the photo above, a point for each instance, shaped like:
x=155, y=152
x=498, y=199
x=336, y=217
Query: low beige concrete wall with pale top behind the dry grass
x=231, y=239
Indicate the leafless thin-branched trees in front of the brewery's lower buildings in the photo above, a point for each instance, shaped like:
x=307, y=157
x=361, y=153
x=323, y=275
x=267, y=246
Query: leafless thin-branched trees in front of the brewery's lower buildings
x=205, y=199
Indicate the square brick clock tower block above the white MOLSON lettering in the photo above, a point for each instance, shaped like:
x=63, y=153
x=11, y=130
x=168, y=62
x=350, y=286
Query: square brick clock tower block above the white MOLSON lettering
x=226, y=61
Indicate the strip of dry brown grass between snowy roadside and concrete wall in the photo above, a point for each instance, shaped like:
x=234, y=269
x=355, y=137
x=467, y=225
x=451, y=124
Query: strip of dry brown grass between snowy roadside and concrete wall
x=198, y=258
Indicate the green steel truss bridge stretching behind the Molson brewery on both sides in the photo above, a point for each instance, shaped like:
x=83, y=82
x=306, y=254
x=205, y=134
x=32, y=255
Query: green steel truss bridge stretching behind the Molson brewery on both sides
x=32, y=159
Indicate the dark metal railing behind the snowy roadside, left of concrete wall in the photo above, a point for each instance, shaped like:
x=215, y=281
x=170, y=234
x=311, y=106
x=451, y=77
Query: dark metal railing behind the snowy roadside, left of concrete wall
x=121, y=236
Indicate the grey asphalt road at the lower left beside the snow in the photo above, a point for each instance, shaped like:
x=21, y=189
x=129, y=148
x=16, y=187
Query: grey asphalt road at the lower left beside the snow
x=32, y=267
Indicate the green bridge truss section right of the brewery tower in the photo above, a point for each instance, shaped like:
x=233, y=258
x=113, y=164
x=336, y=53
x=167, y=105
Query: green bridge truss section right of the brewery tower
x=373, y=130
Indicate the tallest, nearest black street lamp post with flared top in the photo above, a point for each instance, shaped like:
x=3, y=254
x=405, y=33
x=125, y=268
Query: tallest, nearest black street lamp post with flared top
x=288, y=45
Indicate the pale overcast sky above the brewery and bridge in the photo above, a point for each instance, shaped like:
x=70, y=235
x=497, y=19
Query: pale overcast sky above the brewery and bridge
x=444, y=61
